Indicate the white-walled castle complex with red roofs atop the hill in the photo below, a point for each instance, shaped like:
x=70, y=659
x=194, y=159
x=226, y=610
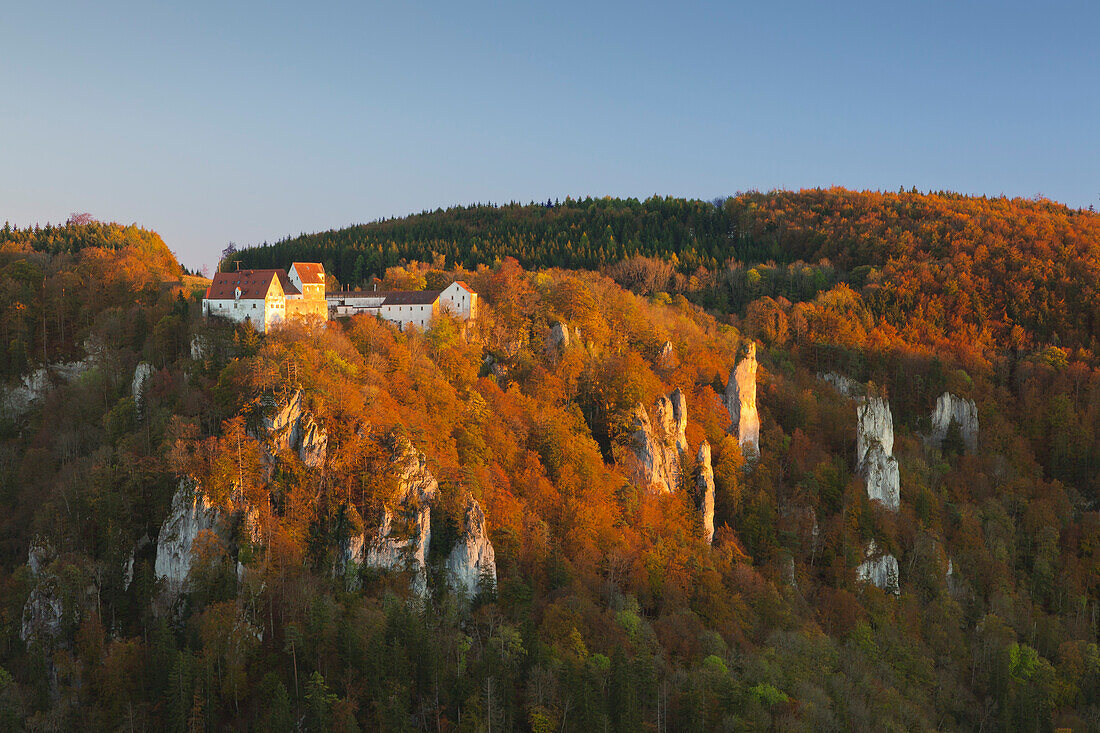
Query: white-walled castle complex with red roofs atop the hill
x=265, y=298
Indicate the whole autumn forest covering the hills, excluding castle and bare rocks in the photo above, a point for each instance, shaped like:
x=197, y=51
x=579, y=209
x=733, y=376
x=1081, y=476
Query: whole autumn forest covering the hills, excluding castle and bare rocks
x=610, y=610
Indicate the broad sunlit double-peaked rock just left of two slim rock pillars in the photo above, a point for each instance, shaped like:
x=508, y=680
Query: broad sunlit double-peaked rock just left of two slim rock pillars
x=658, y=445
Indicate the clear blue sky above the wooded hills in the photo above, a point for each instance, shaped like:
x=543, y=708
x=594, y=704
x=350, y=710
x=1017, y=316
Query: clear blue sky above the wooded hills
x=248, y=122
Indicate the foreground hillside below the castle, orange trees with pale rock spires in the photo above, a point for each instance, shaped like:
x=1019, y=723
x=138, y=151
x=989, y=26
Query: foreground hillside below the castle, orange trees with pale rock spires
x=262, y=531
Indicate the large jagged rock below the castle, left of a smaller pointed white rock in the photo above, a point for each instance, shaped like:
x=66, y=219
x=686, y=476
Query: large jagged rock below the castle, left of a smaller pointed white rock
x=404, y=537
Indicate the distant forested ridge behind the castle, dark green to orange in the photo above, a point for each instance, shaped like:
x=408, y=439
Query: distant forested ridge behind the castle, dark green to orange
x=958, y=264
